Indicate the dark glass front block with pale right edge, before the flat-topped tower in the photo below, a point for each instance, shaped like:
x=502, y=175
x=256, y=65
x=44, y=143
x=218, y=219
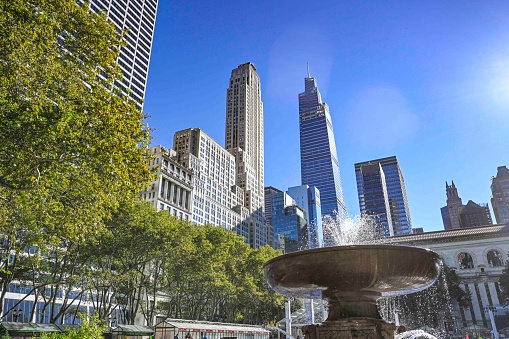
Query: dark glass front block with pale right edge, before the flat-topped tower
x=374, y=199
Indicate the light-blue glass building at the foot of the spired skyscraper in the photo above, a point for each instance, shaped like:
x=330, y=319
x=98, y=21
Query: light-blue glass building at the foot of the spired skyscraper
x=308, y=197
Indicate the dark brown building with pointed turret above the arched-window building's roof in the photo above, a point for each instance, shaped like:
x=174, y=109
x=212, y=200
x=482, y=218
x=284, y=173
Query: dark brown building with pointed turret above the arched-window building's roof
x=456, y=215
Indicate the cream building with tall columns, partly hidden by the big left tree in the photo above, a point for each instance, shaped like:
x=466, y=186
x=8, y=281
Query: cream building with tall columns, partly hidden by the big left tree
x=172, y=190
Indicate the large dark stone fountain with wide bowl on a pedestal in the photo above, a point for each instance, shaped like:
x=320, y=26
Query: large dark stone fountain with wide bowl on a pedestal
x=352, y=278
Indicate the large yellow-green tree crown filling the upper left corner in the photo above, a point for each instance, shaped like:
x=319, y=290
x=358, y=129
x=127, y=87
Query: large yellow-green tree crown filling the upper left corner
x=69, y=144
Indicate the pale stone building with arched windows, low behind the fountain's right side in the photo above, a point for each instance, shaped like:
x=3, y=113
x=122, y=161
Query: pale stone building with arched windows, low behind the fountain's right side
x=478, y=256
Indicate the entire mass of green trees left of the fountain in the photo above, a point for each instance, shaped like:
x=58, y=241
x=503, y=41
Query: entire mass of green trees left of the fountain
x=72, y=162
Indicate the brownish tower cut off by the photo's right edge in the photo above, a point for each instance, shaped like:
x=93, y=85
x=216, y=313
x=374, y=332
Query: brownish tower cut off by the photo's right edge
x=500, y=195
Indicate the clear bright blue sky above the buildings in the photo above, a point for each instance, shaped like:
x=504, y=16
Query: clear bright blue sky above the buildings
x=426, y=81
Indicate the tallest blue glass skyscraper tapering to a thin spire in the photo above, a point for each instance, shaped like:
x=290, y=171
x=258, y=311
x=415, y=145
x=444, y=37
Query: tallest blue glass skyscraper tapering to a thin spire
x=318, y=156
